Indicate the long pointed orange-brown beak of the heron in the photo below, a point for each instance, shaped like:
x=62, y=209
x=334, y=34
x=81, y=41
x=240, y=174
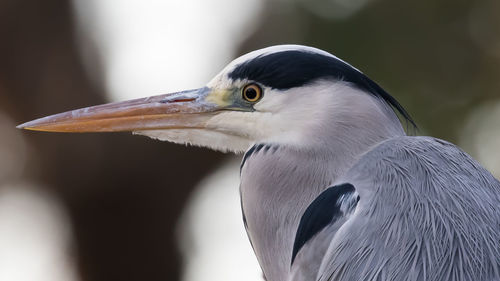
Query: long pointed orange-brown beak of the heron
x=187, y=109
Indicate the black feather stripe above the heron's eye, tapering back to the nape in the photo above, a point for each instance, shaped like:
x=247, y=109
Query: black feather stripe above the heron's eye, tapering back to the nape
x=294, y=68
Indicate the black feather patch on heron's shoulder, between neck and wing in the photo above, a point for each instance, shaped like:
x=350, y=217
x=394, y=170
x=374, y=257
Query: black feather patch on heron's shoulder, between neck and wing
x=324, y=210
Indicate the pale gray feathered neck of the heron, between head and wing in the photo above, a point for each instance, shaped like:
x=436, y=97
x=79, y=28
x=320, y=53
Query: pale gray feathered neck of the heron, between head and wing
x=279, y=180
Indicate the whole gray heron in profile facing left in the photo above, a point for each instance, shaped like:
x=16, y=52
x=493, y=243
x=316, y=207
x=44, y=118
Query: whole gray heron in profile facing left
x=332, y=188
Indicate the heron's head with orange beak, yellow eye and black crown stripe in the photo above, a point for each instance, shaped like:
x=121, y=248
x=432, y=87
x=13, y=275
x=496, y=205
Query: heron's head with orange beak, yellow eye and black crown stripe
x=277, y=94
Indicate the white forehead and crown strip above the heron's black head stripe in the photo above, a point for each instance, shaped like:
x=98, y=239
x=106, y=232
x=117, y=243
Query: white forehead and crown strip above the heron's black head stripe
x=222, y=80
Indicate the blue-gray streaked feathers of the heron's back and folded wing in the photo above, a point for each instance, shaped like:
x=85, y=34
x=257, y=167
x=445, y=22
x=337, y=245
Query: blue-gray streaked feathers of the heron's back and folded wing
x=428, y=212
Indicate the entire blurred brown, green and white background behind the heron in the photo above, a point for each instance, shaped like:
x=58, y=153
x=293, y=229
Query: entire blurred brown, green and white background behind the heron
x=78, y=207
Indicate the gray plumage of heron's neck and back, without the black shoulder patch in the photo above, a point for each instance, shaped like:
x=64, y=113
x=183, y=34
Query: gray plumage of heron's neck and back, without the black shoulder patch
x=427, y=211
